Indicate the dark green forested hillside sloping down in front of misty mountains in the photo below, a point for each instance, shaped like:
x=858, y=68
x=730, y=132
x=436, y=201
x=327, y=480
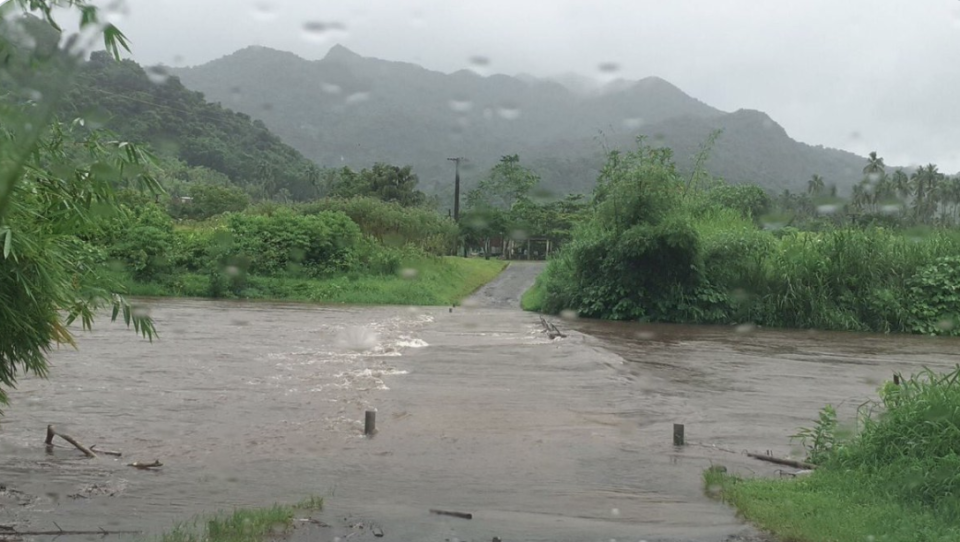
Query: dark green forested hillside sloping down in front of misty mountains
x=152, y=107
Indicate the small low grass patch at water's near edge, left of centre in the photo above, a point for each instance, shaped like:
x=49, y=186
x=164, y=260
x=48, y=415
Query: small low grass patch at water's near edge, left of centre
x=242, y=525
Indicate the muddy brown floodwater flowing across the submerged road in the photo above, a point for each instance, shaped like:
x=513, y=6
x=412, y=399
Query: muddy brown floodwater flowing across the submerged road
x=478, y=411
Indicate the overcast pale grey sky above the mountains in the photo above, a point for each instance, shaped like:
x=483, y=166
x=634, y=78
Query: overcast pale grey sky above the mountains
x=860, y=75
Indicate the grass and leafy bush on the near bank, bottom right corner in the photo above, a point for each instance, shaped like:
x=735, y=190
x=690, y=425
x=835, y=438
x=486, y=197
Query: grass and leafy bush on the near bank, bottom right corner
x=895, y=480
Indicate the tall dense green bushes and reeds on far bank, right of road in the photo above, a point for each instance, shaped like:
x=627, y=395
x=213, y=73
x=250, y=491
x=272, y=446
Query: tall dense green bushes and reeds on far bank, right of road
x=661, y=246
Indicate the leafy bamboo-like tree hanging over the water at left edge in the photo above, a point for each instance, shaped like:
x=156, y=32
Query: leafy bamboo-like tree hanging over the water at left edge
x=52, y=178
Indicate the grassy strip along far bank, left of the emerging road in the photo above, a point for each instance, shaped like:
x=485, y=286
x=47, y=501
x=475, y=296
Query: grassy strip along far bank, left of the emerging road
x=421, y=281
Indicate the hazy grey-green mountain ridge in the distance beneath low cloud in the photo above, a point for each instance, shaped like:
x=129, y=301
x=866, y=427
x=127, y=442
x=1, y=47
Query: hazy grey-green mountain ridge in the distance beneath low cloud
x=348, y=109
